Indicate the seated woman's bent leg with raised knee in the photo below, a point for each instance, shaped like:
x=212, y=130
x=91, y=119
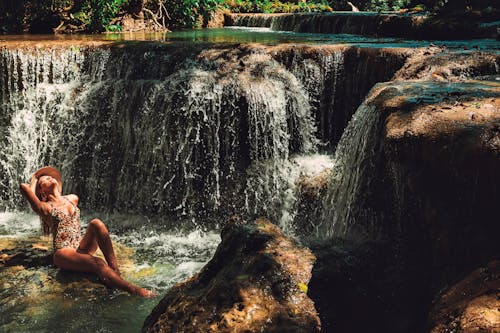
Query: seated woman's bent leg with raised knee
x=97, y=235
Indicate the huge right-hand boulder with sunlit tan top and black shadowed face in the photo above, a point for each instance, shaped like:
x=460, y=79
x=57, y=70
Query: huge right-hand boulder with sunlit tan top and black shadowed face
x=427, y=188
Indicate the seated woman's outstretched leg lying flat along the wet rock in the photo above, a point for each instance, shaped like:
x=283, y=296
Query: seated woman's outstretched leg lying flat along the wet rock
x=69, y=259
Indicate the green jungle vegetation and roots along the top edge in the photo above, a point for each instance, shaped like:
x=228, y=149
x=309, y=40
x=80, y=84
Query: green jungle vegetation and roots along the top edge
x=45, y=16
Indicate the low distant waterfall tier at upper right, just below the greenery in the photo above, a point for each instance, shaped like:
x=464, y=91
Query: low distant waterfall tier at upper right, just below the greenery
x=371, y=24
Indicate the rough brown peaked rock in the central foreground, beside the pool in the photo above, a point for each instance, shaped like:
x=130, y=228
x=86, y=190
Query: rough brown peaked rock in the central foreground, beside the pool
x=256, y=282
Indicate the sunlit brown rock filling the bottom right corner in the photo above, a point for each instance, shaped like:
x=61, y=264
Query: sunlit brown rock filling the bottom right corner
x=471, y=305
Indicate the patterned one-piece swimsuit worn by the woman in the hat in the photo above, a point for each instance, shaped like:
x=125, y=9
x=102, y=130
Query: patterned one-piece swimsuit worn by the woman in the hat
x=66, y=230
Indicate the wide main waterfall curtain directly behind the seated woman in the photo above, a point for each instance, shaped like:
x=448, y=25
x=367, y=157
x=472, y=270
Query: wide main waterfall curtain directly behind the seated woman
x=178, y=136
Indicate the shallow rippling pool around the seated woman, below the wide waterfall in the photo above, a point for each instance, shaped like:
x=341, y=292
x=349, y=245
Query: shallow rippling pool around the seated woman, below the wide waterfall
x=41, y=298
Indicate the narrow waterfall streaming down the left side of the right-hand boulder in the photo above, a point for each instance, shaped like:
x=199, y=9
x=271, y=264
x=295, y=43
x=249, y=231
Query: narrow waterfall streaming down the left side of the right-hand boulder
x=353, y=172
